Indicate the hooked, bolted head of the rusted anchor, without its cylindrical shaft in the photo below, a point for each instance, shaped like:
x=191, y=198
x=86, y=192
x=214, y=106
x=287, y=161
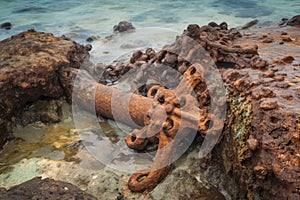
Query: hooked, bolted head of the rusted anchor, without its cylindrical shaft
x=173, y=112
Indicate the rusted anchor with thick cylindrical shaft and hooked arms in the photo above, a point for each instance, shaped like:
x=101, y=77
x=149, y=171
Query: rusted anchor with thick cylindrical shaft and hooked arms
x=166, y=116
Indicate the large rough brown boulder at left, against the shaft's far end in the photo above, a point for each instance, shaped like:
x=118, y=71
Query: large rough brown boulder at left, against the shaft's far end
x=29, y=66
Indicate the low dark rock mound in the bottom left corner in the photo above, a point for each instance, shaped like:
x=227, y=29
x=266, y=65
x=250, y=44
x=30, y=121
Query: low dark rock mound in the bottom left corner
x=38, y=188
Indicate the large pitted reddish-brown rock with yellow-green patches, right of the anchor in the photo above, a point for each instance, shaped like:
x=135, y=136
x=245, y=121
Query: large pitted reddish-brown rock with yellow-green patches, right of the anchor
x=262, y=121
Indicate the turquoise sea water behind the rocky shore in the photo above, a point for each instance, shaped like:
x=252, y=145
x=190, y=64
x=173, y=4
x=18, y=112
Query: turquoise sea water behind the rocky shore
x=80, y=19
